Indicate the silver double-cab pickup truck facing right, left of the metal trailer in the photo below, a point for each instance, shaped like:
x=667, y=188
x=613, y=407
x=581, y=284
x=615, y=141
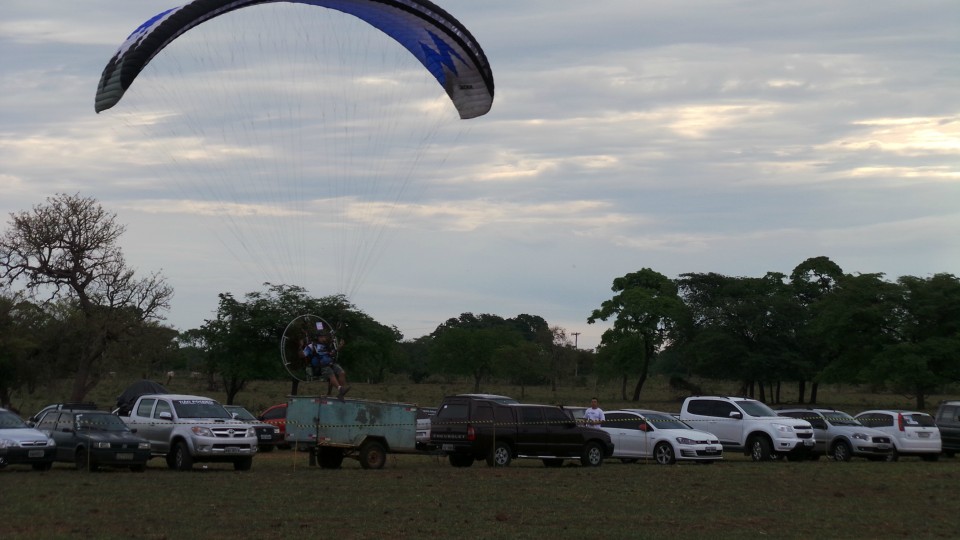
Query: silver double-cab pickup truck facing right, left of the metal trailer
x=186, y=429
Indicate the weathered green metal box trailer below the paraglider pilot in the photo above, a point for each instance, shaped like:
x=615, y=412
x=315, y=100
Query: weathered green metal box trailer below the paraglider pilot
x=366, y=430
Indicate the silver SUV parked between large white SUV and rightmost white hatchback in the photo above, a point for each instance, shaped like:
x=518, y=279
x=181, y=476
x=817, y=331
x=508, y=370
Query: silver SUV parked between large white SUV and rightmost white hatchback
x=841, y=436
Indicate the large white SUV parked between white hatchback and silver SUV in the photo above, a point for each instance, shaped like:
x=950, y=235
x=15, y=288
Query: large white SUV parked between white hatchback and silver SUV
x=747, y=425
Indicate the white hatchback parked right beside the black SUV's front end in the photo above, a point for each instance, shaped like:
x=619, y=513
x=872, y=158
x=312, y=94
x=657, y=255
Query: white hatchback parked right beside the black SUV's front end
x=643, y=434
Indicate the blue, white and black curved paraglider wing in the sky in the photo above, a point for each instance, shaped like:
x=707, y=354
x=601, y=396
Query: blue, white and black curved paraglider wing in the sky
x=438, y=40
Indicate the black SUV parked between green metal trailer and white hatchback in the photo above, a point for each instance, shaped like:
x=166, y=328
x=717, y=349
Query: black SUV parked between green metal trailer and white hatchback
x=468, y=428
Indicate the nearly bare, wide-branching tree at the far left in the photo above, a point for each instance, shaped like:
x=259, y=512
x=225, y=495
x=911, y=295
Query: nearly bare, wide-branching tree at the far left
x=68, y=249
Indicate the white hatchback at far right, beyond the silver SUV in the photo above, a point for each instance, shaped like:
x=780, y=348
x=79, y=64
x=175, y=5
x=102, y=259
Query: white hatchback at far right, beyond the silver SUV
x=912, y=433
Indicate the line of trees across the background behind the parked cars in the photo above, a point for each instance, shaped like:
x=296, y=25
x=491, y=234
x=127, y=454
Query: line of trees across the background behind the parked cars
x=70, y=307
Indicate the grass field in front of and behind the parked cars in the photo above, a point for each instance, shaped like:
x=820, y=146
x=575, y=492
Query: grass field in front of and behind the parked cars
x=424, y=497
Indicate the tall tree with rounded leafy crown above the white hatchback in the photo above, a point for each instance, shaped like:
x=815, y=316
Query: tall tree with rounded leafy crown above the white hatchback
x=646, y=306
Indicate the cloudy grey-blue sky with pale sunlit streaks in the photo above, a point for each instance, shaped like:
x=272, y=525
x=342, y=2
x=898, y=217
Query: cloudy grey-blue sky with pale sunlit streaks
x=737, y=137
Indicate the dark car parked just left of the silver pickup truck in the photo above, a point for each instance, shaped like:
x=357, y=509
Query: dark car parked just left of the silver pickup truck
x=90, y=439
